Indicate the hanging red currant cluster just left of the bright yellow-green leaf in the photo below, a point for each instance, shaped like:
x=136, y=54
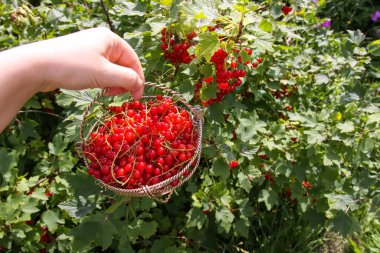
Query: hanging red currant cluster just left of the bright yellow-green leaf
x=174, y=49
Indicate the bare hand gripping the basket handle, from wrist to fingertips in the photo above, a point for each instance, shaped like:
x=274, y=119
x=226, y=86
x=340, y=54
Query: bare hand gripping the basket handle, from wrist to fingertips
x=94, y=58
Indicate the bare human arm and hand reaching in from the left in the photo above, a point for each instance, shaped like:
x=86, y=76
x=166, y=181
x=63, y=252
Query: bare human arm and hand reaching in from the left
x=94, y=58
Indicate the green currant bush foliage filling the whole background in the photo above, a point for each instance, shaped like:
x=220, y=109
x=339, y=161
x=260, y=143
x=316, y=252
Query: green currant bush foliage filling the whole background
x=334, y=114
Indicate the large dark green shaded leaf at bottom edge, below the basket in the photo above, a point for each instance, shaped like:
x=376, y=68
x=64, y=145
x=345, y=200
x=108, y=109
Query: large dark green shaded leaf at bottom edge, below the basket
x=94, y=230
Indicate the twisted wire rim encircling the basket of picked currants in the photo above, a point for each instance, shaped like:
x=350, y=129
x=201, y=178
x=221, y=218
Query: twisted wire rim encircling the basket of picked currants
x=164, y=187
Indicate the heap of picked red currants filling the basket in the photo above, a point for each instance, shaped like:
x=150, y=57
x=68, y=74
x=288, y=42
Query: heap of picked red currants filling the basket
x=141, y=143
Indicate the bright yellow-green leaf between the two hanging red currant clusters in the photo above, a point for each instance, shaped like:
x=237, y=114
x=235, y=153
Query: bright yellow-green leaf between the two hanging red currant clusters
x=208, y=44
